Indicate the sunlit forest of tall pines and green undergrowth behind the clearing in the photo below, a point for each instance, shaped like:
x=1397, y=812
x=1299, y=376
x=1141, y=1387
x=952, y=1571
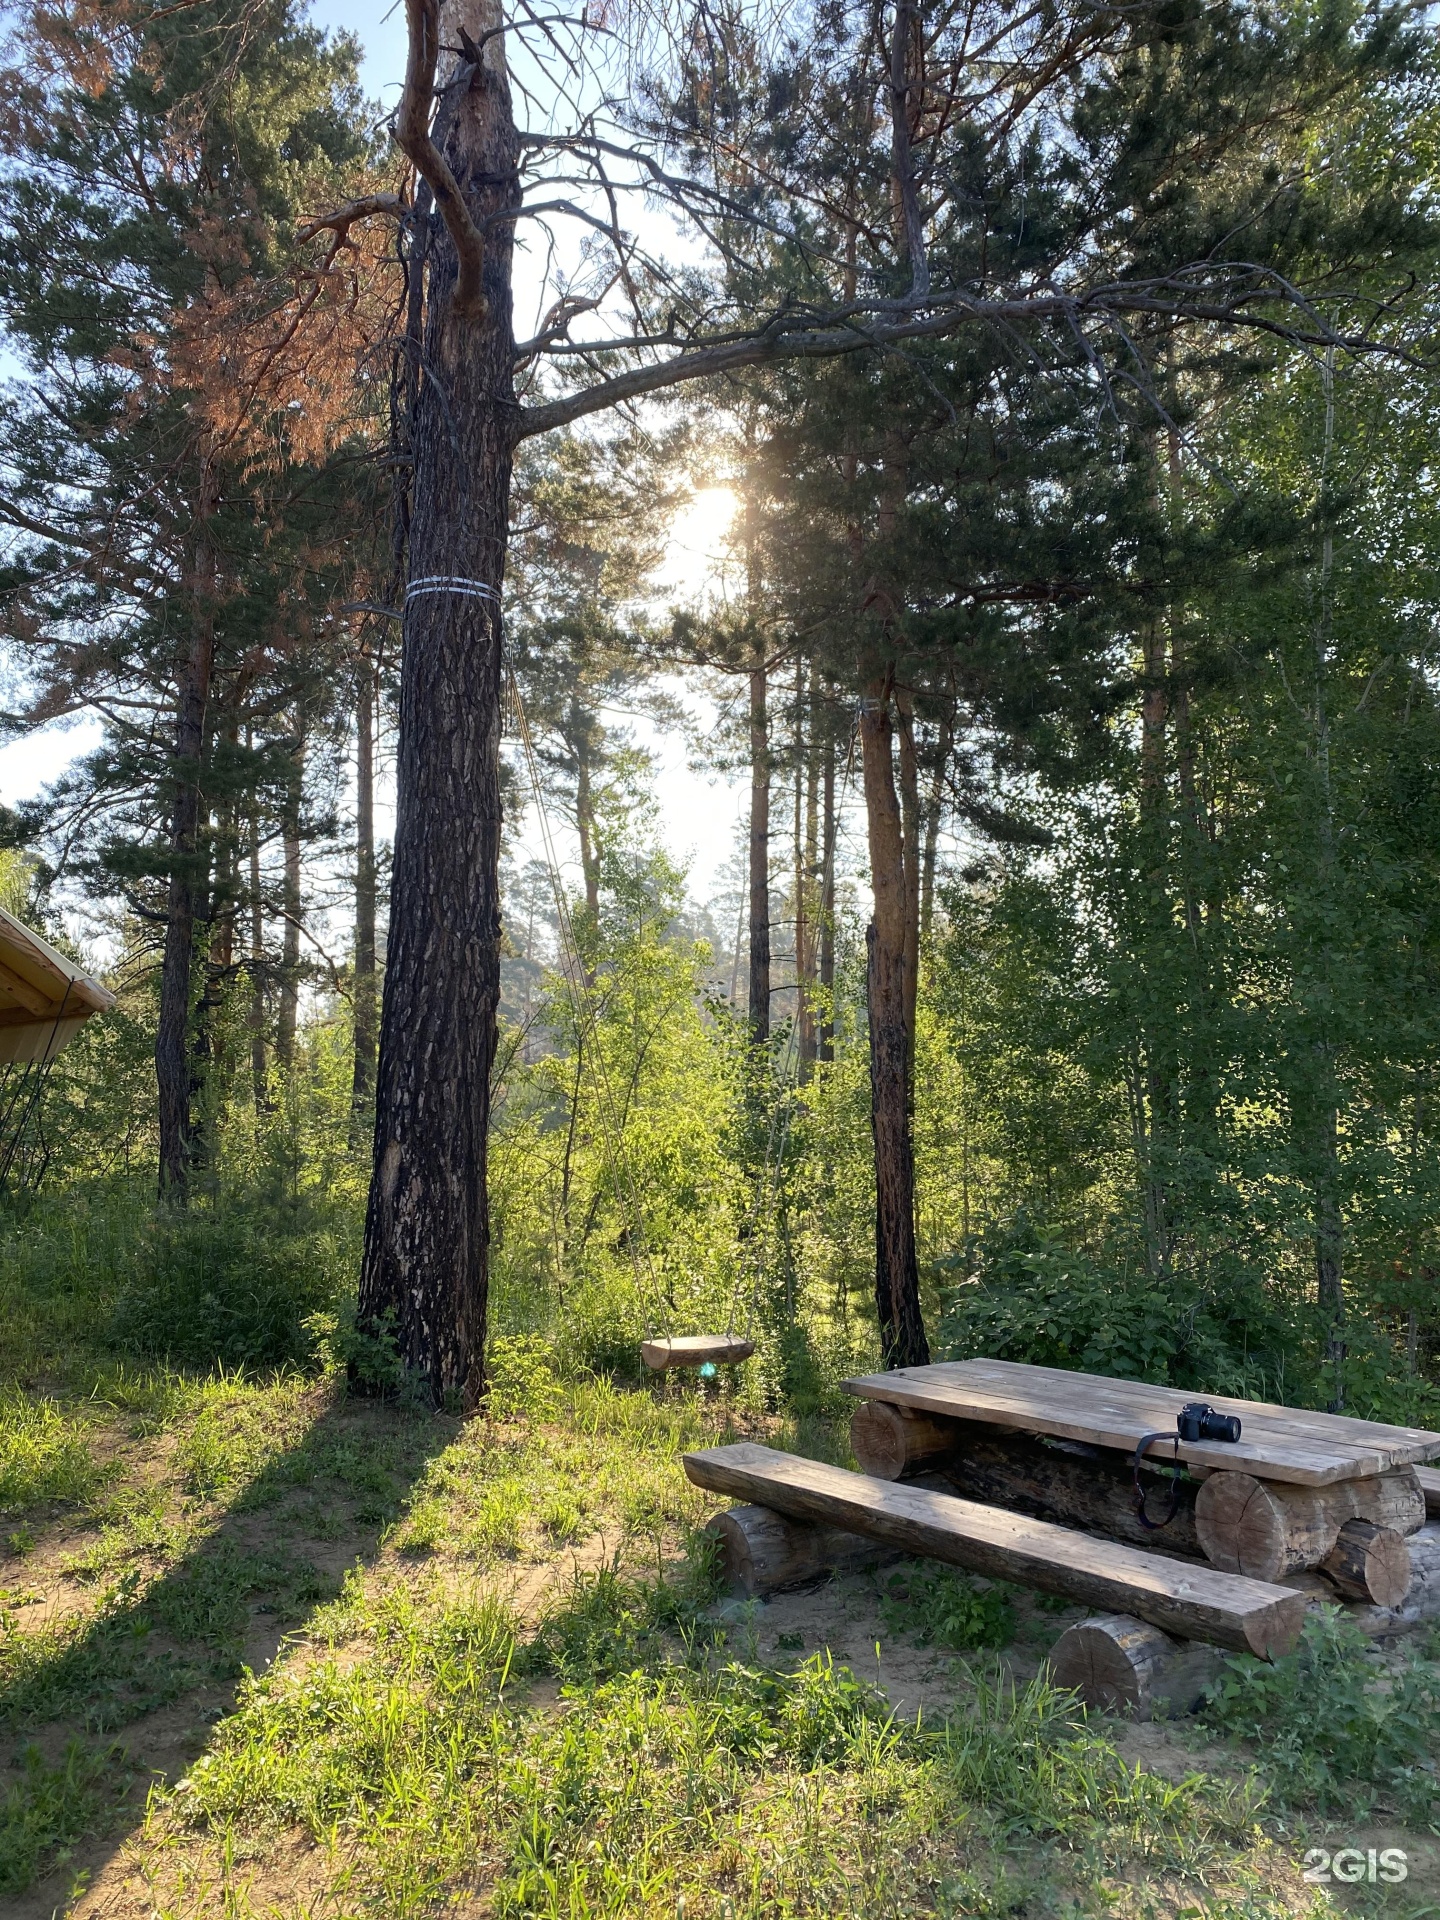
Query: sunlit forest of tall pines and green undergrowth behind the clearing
x=1070, y=372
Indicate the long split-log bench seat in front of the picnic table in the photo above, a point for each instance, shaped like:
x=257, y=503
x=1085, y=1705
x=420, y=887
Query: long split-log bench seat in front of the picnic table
x=1189, y=1600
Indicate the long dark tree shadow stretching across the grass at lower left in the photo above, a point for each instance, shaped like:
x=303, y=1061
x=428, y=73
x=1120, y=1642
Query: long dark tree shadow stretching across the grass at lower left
x=97, y=1710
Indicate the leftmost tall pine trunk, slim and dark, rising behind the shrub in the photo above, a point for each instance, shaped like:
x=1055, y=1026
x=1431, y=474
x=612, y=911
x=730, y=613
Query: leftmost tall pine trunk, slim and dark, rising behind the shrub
x=187, y=880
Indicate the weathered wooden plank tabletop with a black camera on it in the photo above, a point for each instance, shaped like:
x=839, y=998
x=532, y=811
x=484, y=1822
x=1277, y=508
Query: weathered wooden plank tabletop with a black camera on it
x=1278, y=1443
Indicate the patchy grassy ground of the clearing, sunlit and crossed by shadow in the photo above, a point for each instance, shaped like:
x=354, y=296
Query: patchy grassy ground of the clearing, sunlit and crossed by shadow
x=274, y=1652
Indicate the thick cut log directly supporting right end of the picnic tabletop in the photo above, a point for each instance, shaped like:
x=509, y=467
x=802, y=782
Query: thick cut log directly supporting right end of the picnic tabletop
x=1268, y=1529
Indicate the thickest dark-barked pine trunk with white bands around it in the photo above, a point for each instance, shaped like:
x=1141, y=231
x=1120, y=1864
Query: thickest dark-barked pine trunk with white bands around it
x=427, y=1234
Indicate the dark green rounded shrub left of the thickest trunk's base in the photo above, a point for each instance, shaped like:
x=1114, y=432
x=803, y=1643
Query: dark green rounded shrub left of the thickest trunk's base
x=233, y=1285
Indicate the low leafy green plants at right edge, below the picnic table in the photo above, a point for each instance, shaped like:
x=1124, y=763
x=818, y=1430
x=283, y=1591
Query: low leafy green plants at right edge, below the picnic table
x=1326, y=1725
